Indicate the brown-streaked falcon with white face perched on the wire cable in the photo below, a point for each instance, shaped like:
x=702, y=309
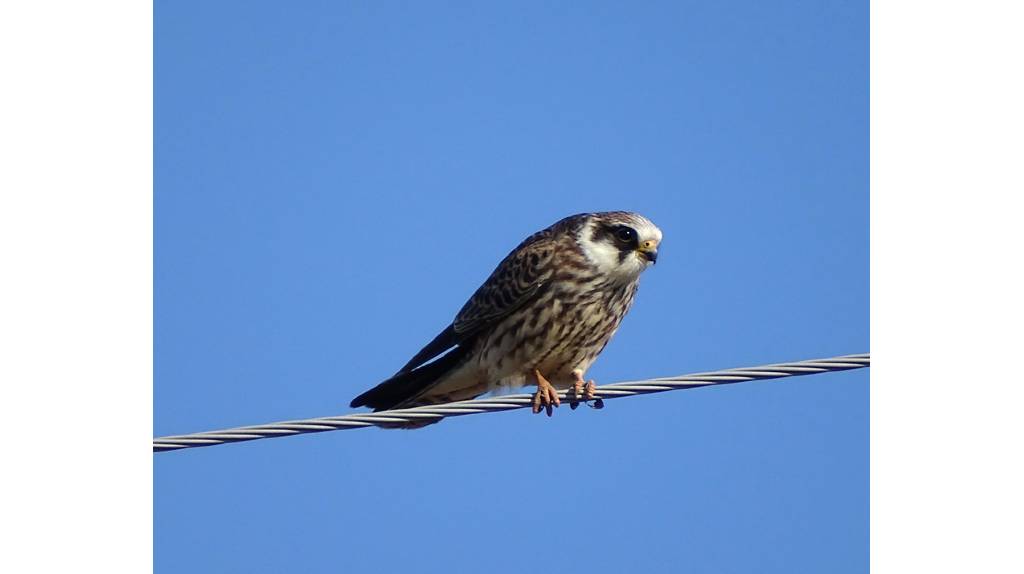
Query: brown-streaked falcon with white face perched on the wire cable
x=543, y=317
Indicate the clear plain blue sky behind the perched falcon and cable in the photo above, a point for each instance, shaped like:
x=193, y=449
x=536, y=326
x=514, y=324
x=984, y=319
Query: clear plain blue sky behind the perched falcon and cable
x=333, y=181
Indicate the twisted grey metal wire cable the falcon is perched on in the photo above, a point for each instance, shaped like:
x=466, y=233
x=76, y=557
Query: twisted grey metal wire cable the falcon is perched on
x=507, y=403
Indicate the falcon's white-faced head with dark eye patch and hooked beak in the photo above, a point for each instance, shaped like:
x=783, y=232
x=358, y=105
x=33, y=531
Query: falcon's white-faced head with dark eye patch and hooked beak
x=620, y=244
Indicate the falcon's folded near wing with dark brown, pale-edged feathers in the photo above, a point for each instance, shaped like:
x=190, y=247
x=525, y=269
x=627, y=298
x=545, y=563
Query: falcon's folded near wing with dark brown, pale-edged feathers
x=518, y=280
